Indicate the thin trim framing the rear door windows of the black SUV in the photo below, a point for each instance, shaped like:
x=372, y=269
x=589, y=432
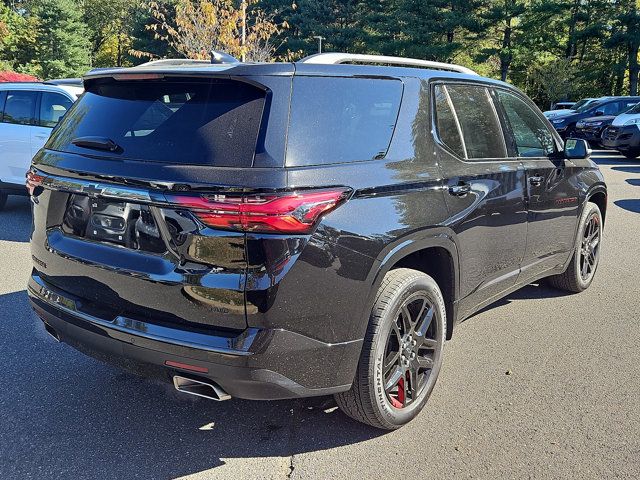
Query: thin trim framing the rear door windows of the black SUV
x=434, y=125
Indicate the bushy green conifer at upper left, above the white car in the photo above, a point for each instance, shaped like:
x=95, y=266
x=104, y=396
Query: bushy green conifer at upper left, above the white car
x=62, y=46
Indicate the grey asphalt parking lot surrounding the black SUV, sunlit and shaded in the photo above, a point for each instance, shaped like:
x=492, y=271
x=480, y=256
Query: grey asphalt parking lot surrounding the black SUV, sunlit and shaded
x=570, y=407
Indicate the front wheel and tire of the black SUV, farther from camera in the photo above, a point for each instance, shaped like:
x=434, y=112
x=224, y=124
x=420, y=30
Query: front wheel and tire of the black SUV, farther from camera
x=578, y=275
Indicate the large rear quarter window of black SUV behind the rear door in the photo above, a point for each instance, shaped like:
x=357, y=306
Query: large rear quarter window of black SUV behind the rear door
x=338, y=120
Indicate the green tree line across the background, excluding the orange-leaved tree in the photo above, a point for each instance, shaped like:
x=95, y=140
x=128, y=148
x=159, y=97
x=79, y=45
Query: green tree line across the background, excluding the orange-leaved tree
x=552, y=49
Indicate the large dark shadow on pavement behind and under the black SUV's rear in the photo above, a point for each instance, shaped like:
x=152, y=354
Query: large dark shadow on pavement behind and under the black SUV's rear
x=65, y=415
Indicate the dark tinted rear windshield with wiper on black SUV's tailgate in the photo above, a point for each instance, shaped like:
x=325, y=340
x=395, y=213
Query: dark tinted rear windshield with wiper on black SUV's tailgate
x=184, y=121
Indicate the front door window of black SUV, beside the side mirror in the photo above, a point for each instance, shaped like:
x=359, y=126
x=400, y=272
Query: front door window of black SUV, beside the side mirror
x=531, y=136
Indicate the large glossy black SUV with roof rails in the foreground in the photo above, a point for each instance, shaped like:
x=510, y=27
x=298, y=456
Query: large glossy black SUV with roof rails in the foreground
x=270, y=231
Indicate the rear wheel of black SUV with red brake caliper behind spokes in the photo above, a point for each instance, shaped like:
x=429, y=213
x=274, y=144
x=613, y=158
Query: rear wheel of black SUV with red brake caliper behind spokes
x=374, y=398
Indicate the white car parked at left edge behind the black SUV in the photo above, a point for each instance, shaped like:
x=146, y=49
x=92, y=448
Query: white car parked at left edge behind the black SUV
x=28, y=113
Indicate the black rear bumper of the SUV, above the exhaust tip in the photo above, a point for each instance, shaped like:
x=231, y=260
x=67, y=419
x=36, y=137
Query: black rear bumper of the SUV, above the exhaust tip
x=258, y=364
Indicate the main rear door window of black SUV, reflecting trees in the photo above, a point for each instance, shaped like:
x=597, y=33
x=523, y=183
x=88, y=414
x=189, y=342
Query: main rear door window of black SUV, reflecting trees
x=480, y=127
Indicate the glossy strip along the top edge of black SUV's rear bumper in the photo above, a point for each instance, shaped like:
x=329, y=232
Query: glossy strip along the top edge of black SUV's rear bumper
x=141, y=329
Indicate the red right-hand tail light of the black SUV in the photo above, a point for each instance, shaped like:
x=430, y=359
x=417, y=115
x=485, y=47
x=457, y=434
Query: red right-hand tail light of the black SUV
x=278, y=213
